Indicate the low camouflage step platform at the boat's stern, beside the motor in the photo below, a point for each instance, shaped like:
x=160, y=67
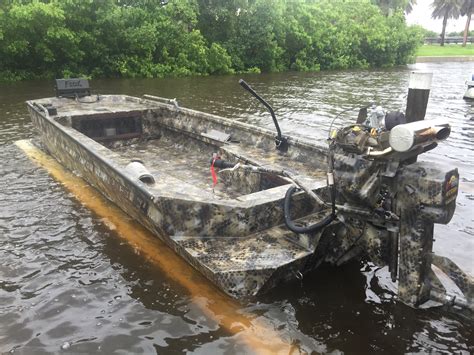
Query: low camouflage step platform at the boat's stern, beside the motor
x=243, y=265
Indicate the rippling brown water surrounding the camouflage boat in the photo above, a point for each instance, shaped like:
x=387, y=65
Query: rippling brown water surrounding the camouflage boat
x=70, y=283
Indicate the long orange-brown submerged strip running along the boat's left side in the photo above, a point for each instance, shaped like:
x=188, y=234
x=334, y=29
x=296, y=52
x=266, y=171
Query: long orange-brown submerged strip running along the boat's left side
x=258, y=337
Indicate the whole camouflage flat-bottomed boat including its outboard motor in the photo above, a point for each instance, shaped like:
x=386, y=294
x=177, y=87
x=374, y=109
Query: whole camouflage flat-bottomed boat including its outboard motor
x=251, y=209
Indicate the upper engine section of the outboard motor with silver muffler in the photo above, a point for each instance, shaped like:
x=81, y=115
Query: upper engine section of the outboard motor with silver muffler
x=375, y=160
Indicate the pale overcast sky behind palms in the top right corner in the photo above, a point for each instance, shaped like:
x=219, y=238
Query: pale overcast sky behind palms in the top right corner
x=421, y=15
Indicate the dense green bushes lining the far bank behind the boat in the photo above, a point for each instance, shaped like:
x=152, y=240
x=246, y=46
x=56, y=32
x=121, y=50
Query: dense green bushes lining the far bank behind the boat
x=145, y=38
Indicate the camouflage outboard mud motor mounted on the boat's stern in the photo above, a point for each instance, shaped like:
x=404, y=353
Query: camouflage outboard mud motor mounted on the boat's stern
x=375, y=169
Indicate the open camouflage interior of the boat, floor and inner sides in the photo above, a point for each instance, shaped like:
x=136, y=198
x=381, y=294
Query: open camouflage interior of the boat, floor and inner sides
x=181, y=143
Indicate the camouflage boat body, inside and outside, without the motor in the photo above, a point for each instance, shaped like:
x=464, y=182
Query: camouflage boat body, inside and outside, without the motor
x=231, y=233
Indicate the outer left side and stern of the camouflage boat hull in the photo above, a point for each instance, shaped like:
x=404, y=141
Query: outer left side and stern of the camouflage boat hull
x=239, y=246
